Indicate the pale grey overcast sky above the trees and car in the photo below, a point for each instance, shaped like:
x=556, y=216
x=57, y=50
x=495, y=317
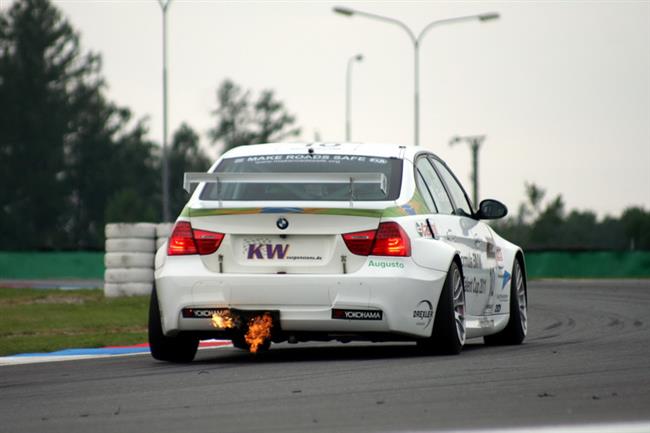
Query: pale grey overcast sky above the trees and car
x=560, y=88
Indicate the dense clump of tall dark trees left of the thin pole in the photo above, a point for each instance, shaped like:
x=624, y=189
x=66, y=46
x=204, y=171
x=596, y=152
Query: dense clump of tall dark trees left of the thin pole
x=64, y=149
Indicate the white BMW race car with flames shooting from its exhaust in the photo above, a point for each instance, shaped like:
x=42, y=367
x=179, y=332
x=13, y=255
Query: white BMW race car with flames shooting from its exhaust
x=328, y=241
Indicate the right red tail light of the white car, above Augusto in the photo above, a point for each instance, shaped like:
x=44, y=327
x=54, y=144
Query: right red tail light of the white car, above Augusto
x=389, y=239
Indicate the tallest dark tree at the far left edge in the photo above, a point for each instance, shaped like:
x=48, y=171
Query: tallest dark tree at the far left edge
x=38, y=50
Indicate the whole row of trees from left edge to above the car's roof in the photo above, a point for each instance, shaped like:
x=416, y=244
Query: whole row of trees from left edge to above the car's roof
x=71, y=160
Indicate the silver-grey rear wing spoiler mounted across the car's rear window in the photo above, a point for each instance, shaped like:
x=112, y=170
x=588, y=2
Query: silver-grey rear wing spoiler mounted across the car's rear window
x=349, y=178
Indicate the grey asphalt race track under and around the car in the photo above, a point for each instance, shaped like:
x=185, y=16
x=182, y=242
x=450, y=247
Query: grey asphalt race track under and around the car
x=586, y=360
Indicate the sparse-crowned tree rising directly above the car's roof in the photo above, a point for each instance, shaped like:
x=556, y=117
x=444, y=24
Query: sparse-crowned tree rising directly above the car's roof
x=241, y=122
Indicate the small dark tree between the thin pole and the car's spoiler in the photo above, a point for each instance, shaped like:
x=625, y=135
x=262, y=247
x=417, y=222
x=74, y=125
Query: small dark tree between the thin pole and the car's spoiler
x=185, y=155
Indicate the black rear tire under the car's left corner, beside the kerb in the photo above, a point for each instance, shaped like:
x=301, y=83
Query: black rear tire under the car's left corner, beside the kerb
x=180, y=348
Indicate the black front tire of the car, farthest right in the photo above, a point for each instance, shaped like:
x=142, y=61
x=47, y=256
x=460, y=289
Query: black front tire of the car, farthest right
x=515, y=331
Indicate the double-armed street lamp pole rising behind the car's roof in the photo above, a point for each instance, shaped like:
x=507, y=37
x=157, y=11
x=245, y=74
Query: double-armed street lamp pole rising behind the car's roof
x=416, y=40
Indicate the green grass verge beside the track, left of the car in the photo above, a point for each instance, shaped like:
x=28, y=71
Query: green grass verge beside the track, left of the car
x=35, y=320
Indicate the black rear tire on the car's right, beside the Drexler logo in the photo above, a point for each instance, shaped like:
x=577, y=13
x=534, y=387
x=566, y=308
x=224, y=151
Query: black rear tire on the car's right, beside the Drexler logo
x=448, y=334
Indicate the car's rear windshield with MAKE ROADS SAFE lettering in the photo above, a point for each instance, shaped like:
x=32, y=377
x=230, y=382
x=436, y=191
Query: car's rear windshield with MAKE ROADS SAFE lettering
x=307, y=163
